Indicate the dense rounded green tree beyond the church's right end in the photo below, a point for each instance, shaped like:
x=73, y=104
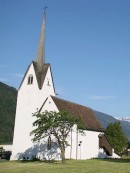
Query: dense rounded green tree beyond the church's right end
x=116, y=137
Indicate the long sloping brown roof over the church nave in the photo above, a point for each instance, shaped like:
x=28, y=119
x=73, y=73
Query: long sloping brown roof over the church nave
x=85, y=113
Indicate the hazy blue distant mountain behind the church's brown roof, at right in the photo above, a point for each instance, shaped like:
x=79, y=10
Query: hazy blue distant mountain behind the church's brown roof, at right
x=105, y=119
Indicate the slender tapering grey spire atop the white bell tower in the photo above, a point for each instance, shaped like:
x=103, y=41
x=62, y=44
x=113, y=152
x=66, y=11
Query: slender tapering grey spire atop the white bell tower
x=40, y=58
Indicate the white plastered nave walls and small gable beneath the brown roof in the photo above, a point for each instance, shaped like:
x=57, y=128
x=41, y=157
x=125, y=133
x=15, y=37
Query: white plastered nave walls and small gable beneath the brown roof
x=88, y=140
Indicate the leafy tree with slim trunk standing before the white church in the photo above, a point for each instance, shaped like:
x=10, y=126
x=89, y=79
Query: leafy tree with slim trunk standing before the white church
x=54, y=123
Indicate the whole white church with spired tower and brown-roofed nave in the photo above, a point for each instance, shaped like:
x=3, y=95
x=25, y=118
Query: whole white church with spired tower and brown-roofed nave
x=37, y=92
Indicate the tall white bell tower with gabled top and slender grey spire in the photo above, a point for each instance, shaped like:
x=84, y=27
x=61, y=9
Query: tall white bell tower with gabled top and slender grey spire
x=34, y=89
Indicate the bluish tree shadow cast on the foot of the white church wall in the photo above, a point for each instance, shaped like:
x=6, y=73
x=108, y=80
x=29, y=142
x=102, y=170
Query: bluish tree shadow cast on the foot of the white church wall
x=41, y=152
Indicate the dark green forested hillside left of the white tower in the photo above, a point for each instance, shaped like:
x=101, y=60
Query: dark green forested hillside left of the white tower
x=8, y=96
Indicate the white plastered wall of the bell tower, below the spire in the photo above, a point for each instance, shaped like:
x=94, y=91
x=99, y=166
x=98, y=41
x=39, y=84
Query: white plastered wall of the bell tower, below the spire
x=29, y=99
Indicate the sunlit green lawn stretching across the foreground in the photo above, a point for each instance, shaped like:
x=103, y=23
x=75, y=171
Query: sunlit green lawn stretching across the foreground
x=71, y=166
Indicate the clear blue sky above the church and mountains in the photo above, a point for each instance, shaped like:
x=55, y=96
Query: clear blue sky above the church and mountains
x=87, y=45
